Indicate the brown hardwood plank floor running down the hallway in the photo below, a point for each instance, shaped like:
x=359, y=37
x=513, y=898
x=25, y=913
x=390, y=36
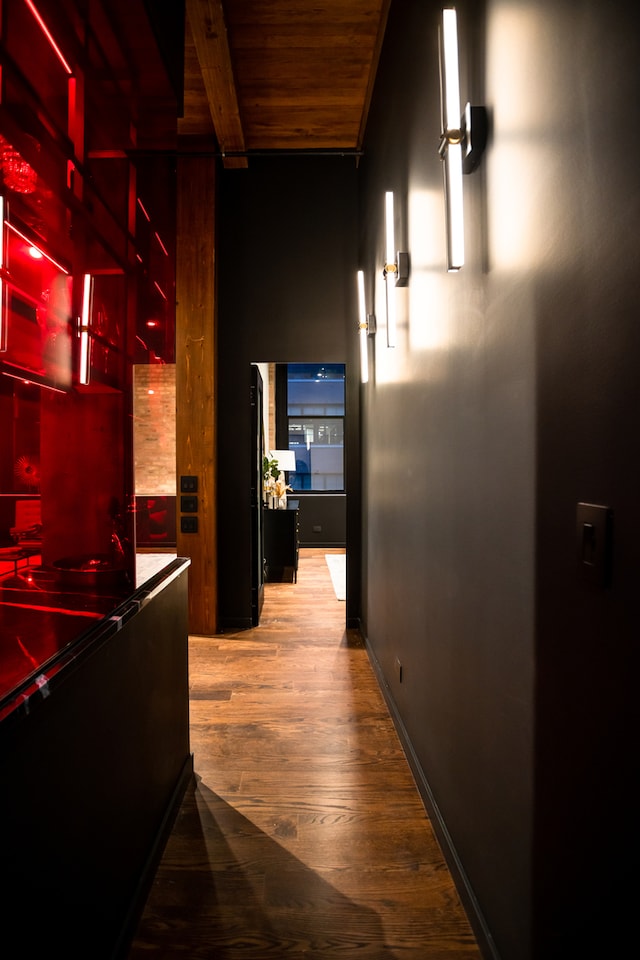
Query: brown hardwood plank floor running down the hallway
x=303, y=834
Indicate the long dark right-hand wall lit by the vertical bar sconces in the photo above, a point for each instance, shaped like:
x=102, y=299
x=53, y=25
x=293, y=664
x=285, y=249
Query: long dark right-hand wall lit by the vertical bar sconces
x=512, y=394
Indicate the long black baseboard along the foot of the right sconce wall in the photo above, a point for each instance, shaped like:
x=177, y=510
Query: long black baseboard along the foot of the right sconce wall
x=463, y=886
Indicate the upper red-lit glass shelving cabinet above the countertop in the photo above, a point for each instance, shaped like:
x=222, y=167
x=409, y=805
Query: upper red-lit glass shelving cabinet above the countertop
x=87, y=264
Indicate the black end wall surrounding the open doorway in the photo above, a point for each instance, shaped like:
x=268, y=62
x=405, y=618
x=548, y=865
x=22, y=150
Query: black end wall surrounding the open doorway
x=287, y=293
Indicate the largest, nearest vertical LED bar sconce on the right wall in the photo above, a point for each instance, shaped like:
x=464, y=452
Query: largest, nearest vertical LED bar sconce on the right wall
x=462, y=140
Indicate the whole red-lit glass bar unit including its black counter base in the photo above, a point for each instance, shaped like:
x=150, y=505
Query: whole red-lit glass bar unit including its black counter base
x=88, y=124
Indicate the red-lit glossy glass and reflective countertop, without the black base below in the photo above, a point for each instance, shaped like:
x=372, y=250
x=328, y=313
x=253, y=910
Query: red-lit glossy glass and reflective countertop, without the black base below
x=87, y=289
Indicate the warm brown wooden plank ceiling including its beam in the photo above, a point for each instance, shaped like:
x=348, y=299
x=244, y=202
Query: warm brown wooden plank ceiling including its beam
x=279, y=75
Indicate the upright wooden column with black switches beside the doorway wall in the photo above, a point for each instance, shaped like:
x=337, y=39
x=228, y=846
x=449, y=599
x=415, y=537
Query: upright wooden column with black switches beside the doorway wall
x=196, y=383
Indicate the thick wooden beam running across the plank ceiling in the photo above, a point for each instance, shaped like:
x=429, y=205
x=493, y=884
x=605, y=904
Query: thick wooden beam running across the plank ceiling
x=208, y=27
